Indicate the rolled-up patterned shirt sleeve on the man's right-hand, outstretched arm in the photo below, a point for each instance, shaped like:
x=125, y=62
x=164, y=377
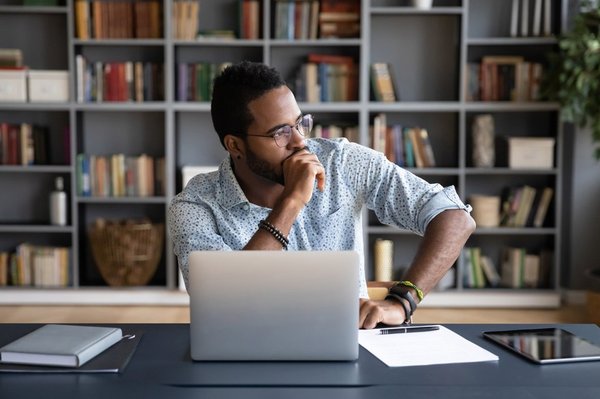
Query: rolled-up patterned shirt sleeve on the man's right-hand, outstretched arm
x=398, y=197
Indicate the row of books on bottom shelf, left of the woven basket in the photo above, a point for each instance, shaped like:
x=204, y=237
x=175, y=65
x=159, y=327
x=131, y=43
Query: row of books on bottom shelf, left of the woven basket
x=35, y=265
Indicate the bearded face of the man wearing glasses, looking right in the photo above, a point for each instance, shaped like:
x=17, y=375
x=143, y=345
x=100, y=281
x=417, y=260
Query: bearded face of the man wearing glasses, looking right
x=274, y=109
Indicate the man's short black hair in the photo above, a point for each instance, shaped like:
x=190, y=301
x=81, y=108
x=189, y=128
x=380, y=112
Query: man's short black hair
x=233, y=89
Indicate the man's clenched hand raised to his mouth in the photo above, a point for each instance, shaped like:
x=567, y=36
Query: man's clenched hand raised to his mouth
x=300, y=170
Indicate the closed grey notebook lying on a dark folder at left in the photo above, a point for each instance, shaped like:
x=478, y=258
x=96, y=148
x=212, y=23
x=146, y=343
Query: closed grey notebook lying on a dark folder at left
x=60, y=345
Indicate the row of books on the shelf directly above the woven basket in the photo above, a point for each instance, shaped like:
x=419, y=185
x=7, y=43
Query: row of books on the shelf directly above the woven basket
x=118, y=175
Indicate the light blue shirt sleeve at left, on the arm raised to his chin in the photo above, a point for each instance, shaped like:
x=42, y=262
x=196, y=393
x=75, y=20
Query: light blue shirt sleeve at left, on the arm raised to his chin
x=192, y=227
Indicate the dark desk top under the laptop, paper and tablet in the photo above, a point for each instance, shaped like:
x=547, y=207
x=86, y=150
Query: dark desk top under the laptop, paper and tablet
x=162, y=368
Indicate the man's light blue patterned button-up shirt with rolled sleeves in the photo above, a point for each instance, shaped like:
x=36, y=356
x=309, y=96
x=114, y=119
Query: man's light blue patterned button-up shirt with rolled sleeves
x=212, y=212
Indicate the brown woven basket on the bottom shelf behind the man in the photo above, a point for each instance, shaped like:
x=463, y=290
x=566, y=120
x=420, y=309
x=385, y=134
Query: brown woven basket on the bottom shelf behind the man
x=126, y=252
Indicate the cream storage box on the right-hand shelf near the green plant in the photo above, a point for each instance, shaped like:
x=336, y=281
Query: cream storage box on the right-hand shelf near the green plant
x=531, y=152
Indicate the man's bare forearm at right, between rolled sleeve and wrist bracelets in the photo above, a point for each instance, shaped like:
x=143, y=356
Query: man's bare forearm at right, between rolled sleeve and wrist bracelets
x=445, y=237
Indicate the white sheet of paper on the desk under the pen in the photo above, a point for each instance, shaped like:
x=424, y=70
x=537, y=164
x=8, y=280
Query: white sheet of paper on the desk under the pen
x=441, y=346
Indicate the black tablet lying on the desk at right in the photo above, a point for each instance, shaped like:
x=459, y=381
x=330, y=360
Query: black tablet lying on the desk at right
x=546, y=345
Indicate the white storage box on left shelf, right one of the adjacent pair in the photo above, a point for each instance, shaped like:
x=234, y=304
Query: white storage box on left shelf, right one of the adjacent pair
x=48, y=86
